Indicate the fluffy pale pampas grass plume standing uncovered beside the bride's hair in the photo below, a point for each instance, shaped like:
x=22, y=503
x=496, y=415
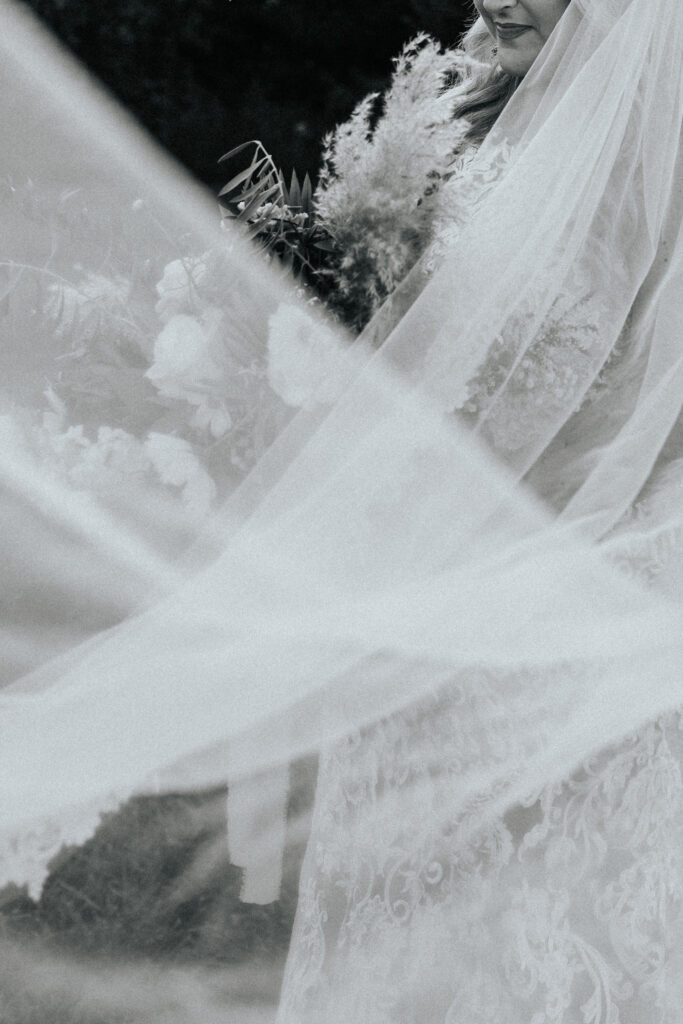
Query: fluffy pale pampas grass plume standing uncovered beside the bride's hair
x=380, y=173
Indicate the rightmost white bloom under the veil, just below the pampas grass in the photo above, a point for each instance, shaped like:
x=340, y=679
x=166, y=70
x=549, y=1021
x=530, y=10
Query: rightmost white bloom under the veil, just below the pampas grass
x=308, y=365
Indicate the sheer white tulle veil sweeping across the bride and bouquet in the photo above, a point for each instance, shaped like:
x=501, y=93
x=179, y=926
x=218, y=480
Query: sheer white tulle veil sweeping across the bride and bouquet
x=208, y=578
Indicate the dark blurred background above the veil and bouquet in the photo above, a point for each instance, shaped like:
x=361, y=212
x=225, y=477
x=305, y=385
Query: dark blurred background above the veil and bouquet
x=206, y=75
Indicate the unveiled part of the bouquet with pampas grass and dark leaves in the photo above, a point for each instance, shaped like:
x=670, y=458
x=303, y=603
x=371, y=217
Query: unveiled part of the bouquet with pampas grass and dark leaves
x=354, y=240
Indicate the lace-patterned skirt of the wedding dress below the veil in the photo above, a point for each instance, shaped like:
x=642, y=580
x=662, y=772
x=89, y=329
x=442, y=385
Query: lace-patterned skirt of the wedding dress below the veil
x=568, y=910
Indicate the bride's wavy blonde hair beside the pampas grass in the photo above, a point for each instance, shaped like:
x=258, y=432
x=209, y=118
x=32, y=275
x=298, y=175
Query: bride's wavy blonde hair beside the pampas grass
x=483, y=89
